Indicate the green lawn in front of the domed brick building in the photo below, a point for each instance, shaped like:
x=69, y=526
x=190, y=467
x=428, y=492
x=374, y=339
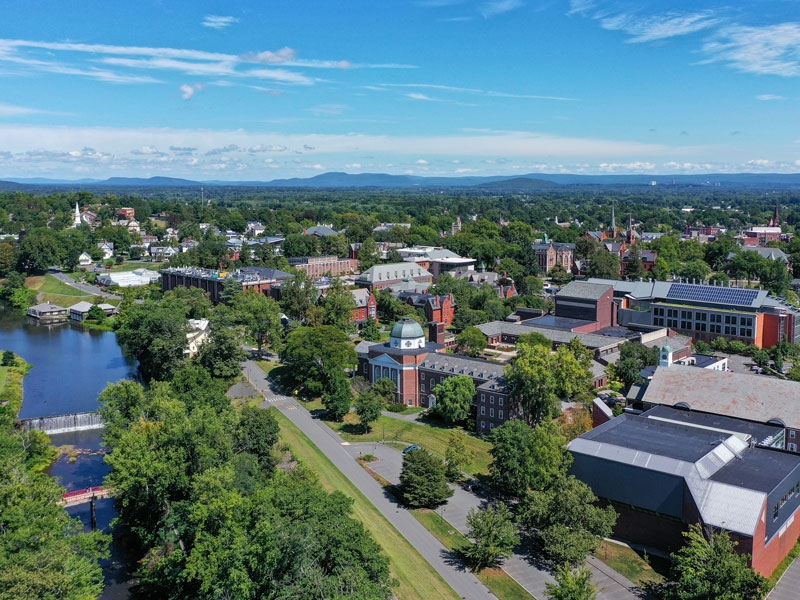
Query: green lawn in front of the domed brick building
x=431, y=437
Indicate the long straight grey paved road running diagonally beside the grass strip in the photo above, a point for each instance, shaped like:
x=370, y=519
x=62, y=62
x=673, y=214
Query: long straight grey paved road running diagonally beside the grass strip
x=464, y=583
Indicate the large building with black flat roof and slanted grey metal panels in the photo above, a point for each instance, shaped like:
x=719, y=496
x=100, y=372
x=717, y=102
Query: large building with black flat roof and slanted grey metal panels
x=663, y=472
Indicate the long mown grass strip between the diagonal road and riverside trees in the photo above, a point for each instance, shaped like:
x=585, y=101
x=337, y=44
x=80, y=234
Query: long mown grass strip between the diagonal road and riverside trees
x=416, y=578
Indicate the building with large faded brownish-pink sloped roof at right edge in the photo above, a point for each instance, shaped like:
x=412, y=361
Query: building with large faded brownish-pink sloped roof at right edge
x=765, y=400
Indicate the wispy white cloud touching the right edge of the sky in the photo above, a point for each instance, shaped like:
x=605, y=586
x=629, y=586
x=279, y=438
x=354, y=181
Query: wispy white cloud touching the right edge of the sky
x=768, y=50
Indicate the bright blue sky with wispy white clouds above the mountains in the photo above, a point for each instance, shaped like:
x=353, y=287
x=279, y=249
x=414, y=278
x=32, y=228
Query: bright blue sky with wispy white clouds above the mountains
x=268, y=89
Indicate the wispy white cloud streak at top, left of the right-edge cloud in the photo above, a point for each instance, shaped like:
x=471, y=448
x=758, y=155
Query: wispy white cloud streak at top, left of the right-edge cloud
x=658, y=27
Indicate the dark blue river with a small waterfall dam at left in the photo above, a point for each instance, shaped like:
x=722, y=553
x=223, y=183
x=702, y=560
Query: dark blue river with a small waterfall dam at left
x=70, y=368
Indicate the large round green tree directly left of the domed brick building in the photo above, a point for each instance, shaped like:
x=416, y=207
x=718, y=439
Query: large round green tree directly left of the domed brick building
x=311, y=353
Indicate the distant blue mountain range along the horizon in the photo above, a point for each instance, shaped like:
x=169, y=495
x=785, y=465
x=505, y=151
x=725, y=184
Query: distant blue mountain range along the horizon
x=519, y=183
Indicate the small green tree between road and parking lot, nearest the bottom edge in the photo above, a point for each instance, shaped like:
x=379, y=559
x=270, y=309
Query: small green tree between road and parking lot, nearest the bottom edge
x=494, y=536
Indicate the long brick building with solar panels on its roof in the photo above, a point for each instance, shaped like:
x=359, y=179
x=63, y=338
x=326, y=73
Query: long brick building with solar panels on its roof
x=706, y=312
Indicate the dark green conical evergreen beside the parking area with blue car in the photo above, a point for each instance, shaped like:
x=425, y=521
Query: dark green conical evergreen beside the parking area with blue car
x=423, y=481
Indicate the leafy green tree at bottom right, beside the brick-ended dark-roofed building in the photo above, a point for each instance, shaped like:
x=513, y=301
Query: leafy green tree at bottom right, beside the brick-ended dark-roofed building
x=708, y=567
